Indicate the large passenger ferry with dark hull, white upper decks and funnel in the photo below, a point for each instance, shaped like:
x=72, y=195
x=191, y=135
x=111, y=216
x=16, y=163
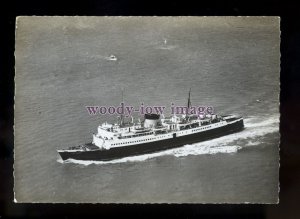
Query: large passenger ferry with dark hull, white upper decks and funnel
x=154, y=133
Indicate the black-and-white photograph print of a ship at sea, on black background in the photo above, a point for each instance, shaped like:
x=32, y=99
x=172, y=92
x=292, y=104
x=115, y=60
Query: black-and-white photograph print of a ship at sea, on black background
x=147, y=109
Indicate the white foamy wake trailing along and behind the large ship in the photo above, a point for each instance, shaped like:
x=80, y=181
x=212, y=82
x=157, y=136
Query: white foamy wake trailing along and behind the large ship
x=254, y=128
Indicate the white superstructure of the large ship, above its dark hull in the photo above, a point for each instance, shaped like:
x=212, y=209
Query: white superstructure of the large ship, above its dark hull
x=154, y=129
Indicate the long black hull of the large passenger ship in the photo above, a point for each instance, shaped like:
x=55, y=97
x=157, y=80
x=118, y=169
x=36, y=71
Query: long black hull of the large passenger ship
x=151, y=147
